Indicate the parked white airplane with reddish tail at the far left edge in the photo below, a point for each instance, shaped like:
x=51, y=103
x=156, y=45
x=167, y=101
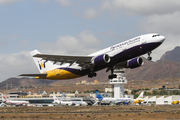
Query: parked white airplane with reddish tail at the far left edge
x=5, y=101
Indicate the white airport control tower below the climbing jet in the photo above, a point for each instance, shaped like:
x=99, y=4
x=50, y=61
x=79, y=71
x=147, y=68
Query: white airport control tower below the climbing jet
x=119, y=82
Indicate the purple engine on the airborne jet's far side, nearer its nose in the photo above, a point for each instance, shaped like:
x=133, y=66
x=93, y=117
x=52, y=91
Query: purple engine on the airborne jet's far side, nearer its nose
x=134, y=63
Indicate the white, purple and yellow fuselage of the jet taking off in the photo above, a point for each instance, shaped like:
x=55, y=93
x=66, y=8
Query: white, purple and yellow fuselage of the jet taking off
x=118, y=53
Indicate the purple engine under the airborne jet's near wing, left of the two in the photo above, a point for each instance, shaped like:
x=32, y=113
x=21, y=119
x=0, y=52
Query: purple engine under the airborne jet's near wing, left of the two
x=100, y=60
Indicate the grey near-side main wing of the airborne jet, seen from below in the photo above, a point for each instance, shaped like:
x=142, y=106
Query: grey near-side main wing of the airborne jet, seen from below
x=81, y=60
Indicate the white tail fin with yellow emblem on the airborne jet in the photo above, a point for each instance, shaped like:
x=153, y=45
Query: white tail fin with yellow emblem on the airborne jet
x=42, y=65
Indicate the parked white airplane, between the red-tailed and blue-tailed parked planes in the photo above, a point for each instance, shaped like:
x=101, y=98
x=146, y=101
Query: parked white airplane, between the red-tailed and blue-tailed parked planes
x=69, y=102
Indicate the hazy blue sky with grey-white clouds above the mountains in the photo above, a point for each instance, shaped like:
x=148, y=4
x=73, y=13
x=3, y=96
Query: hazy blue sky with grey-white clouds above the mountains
x=79, y=27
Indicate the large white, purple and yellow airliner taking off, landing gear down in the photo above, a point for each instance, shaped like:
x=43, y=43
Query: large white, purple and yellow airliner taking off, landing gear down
x=121, y=55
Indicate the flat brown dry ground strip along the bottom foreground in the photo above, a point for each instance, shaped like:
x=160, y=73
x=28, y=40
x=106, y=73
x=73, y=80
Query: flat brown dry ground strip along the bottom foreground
x=92, y=112
